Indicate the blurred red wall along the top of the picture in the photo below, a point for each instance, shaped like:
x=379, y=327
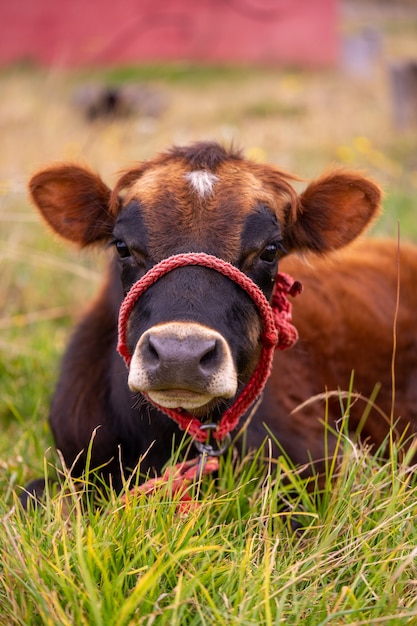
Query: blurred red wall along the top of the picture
x=95, y=32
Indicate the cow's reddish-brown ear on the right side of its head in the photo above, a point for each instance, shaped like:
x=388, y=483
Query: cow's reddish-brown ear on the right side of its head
x=331, y=212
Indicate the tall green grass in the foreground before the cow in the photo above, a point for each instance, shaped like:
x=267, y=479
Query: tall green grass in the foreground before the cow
x=232, y=560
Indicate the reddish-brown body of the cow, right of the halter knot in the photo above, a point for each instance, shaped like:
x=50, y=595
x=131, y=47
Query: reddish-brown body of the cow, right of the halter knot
x=346, y=321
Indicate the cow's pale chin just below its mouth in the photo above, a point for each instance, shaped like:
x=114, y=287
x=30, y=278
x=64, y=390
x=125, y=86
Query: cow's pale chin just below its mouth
x=197, y=403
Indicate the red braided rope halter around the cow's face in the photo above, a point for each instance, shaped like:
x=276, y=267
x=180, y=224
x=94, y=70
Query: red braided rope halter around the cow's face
x=278, y=333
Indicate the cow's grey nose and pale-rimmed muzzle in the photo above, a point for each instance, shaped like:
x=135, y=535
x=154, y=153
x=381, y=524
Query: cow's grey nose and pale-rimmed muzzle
x=183, y=364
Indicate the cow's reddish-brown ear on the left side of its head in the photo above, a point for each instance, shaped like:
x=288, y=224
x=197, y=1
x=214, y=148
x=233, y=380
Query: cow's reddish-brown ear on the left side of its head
x=75, y=203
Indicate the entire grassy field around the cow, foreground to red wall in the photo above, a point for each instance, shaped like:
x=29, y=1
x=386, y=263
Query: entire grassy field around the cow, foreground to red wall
x=235, y=559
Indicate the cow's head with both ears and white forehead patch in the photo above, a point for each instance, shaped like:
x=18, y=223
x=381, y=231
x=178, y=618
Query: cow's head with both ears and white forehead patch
x=194, y=335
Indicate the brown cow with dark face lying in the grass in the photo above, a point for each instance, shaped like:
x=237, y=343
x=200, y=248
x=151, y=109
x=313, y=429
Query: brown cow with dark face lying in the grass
x=194, y=335
